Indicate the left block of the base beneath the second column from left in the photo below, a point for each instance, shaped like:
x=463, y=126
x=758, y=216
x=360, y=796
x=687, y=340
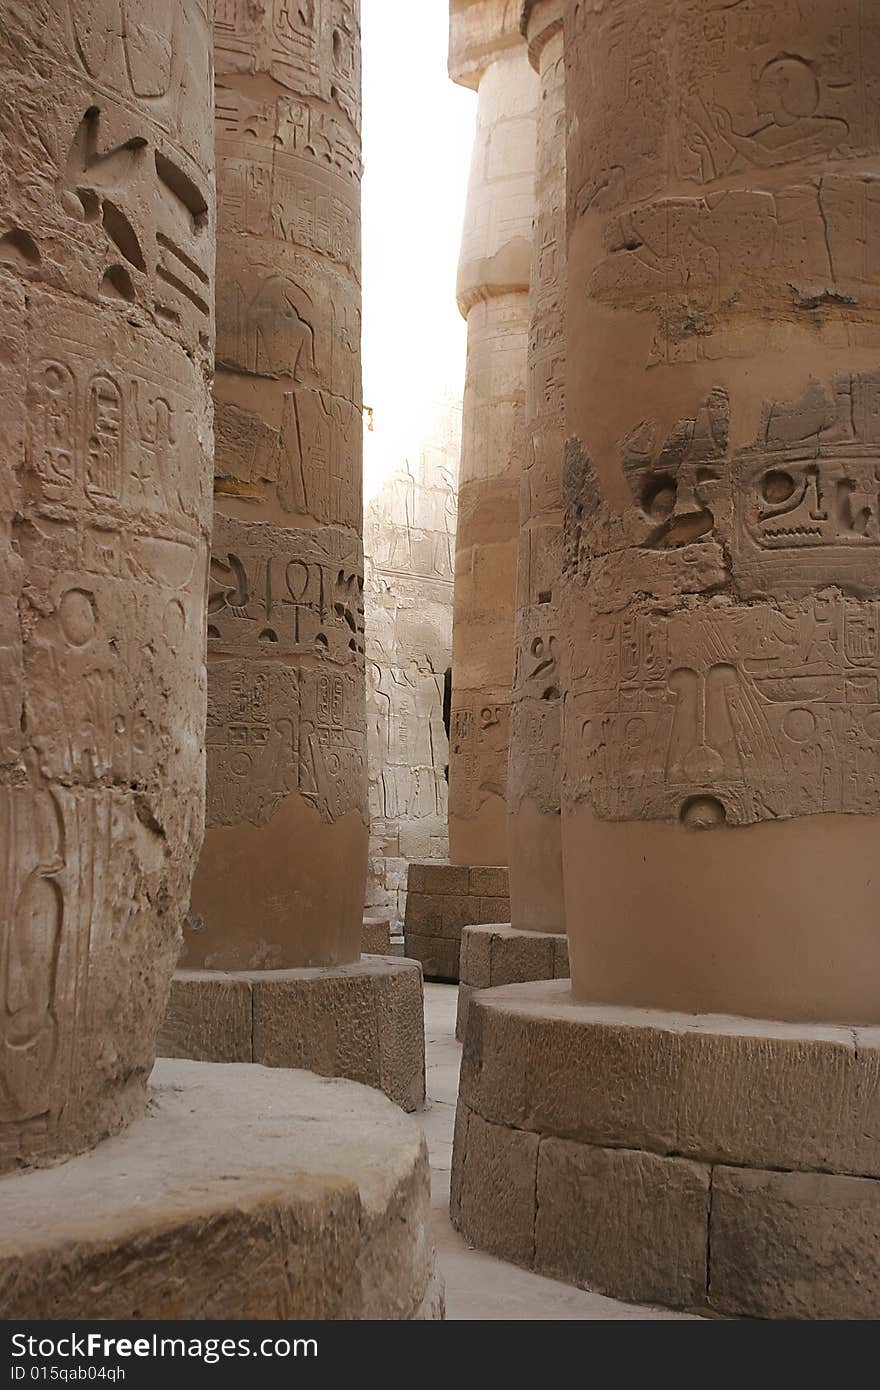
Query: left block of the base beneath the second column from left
x=209, y=1018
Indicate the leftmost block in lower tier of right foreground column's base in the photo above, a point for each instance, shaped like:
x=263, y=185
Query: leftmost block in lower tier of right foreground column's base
x=498, y=1174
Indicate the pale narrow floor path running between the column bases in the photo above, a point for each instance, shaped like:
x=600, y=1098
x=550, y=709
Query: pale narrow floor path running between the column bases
x=480, y=1288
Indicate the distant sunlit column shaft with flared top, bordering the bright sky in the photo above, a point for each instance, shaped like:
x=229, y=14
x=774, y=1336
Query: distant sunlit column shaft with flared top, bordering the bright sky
x=487, y=54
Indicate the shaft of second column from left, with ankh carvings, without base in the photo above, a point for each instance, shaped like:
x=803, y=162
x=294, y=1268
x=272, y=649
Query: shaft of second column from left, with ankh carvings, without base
x=282, y=881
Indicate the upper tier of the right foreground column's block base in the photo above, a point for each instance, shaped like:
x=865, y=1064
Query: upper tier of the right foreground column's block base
x=721, y=1090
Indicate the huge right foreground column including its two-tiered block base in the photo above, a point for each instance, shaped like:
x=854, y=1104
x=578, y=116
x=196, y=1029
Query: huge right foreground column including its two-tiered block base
x=696, y=1124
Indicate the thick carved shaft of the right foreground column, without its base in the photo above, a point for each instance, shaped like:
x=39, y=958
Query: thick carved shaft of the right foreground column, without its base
x=722, y=511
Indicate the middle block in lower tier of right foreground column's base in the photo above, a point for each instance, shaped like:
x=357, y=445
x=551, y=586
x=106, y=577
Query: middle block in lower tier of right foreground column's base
x=624, y=1223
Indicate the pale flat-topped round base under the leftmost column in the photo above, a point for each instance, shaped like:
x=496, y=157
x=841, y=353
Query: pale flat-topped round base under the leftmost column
x=243, y=1195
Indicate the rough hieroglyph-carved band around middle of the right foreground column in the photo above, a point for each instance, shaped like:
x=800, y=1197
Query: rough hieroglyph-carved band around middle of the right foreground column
x=769, y=707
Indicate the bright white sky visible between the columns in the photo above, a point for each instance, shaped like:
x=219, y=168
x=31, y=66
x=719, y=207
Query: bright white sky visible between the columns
x=418, y=141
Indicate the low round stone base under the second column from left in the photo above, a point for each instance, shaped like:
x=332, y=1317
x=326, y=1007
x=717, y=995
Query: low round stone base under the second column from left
x=364, y=1022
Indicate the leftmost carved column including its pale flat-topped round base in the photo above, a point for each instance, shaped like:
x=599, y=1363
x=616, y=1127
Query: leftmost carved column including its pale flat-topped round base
x=106, y=298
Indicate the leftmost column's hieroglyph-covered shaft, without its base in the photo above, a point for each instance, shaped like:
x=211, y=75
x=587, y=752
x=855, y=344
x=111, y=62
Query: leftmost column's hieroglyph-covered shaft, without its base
x=106, y=293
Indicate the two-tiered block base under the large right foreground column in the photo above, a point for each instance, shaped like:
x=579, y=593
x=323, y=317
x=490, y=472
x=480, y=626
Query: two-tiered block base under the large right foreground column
x=712, y=1164
